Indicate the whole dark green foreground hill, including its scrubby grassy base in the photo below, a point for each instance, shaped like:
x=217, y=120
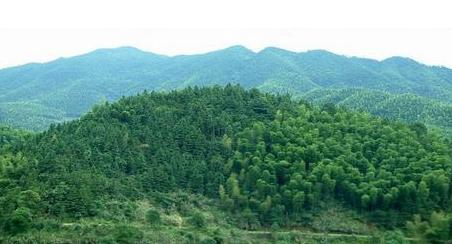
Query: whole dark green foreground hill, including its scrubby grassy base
x=218, y=165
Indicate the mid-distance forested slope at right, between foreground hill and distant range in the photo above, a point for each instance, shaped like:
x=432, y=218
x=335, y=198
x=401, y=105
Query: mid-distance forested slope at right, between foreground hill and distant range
x=405, y=107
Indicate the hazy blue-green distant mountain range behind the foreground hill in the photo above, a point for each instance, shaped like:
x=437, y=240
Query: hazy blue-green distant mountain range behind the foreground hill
x=34, y=95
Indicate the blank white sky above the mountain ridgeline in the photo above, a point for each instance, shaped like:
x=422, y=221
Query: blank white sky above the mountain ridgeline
x=39, y=31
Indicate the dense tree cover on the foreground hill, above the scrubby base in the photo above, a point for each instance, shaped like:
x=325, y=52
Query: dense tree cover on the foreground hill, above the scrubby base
x=266, y=158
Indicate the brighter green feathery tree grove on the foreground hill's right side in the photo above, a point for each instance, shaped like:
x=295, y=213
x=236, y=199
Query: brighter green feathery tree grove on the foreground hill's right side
x=308, y=159
